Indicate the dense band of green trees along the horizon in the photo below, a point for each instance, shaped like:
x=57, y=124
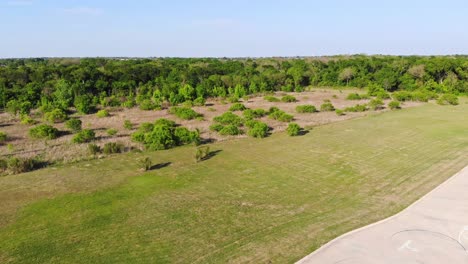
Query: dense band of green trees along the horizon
x=152, y=83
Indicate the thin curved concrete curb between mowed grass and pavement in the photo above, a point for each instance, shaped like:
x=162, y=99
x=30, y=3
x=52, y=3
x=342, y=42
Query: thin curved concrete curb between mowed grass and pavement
x=328, y=244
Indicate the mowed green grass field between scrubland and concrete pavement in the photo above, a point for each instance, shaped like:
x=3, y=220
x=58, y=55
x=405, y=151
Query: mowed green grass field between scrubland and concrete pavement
x=258, y=201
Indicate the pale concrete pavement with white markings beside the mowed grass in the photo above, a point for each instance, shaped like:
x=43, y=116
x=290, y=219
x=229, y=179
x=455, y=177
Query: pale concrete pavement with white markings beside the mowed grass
x=433, y=230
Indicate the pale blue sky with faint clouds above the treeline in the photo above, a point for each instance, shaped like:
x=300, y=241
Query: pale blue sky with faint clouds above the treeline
x=231, y=28
